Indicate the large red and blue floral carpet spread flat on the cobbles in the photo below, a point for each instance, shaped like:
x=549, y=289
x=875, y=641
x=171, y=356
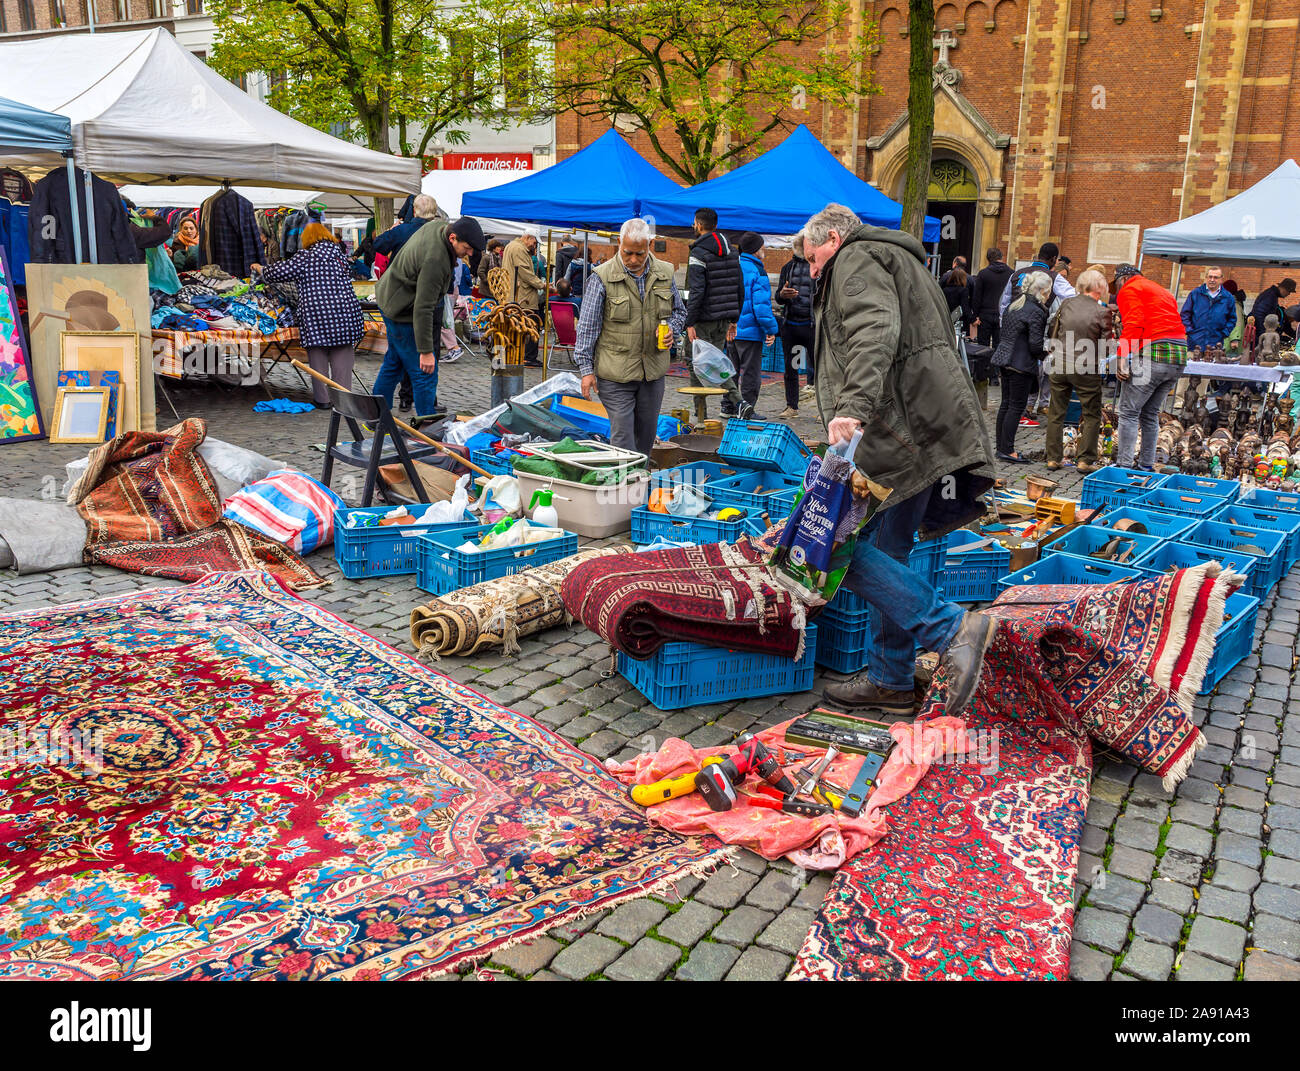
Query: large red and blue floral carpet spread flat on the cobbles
x=224, y=782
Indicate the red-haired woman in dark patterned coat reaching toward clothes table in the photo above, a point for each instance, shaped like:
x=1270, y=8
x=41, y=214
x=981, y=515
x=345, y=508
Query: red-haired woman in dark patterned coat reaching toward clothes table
x=328, y=315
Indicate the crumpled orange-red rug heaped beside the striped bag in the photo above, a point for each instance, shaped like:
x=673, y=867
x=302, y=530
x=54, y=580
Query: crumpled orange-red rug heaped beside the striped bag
x=153, y=508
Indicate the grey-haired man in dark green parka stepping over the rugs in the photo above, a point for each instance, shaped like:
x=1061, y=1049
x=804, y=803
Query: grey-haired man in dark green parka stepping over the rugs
x=887, y=367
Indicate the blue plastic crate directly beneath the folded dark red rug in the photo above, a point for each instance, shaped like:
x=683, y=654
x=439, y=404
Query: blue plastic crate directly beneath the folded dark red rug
x=686, y=675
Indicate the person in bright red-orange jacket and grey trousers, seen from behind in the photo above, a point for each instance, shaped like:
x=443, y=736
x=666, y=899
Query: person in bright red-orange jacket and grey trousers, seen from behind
x=1152, y=353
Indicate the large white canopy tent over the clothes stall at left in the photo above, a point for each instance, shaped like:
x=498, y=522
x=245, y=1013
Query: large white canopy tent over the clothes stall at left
x=146, y=111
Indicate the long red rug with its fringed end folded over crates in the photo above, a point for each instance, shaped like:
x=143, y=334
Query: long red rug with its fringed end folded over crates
x=976, y=878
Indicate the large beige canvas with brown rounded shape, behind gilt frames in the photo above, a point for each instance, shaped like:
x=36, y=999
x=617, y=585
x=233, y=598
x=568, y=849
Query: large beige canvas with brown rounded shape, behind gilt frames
x=90, y=298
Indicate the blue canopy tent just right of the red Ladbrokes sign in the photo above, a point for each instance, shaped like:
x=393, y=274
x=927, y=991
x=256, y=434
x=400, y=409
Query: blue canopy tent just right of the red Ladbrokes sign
x=600, y=188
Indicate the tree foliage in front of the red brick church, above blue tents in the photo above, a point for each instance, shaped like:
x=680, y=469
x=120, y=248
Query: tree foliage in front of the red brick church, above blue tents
x=718, y=75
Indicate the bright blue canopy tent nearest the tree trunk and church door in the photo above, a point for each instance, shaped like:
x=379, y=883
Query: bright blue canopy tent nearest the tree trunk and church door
x=779, y=192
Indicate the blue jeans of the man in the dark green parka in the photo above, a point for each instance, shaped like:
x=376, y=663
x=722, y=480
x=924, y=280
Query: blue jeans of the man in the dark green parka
x=905, y=610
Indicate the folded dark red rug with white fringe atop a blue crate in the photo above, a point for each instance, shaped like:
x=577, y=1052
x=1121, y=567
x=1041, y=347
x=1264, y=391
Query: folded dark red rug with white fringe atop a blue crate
x=718, y=593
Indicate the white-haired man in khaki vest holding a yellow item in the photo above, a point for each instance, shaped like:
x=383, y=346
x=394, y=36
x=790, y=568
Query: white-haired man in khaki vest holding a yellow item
x=619, y=350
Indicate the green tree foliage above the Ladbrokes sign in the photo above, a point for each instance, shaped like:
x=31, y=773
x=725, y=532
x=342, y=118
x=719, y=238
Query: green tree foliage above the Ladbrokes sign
x=418, y=66
